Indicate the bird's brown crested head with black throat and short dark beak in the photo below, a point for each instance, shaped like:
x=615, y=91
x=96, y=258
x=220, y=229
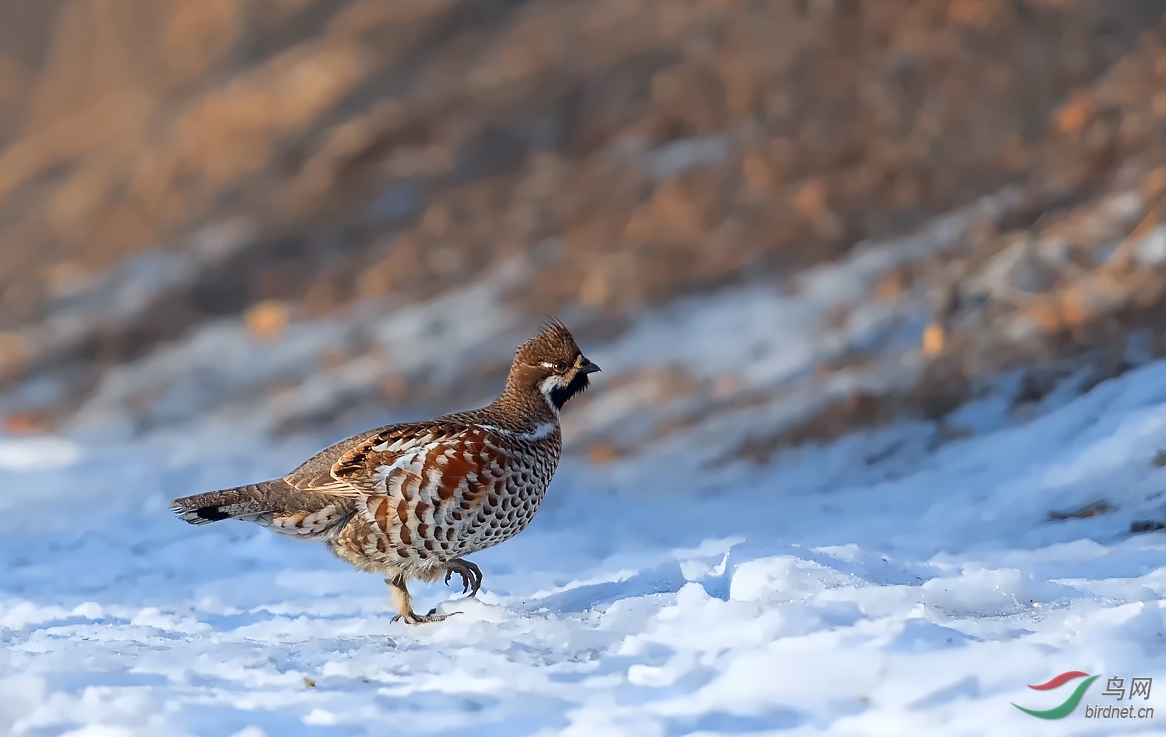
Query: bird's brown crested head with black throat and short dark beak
x=552, y=364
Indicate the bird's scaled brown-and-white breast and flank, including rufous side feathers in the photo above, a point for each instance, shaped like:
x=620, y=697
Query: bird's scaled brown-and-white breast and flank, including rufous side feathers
x=441, y=490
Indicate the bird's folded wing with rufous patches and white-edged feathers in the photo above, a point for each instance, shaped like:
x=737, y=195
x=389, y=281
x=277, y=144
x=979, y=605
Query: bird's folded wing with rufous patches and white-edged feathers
x=424, y=486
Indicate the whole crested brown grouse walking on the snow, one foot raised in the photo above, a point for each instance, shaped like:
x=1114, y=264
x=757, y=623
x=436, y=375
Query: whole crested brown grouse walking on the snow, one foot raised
x=411, y=501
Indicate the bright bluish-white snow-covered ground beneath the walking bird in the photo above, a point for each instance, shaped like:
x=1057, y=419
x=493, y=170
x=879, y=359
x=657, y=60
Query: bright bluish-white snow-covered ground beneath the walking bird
x=888, y=584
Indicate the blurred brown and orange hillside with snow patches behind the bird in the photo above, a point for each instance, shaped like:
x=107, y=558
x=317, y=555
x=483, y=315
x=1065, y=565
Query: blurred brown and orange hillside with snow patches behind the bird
x=317, y=188
